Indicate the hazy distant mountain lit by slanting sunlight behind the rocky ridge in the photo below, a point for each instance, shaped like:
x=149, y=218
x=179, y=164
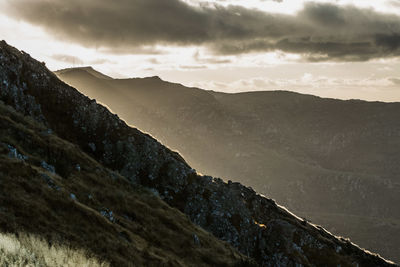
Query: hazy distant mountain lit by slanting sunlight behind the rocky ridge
x=335, y=162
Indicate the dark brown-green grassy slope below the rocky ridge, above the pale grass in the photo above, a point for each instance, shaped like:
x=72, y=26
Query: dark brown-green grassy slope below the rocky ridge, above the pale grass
x=142, y=230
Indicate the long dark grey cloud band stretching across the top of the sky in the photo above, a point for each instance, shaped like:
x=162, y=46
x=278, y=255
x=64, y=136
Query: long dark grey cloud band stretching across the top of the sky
x=320, y=32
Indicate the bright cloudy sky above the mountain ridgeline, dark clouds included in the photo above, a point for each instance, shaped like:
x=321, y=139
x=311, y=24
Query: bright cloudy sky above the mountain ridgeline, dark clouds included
x=347, y=49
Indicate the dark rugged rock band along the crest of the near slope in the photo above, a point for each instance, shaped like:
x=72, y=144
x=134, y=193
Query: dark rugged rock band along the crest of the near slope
x=250, y=222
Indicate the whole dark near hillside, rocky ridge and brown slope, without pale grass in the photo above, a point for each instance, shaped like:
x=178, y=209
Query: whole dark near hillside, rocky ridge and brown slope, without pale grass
x=98, y=173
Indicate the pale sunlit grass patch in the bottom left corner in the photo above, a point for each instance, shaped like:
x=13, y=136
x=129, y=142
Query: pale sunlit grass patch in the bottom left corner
x=29, y=250
